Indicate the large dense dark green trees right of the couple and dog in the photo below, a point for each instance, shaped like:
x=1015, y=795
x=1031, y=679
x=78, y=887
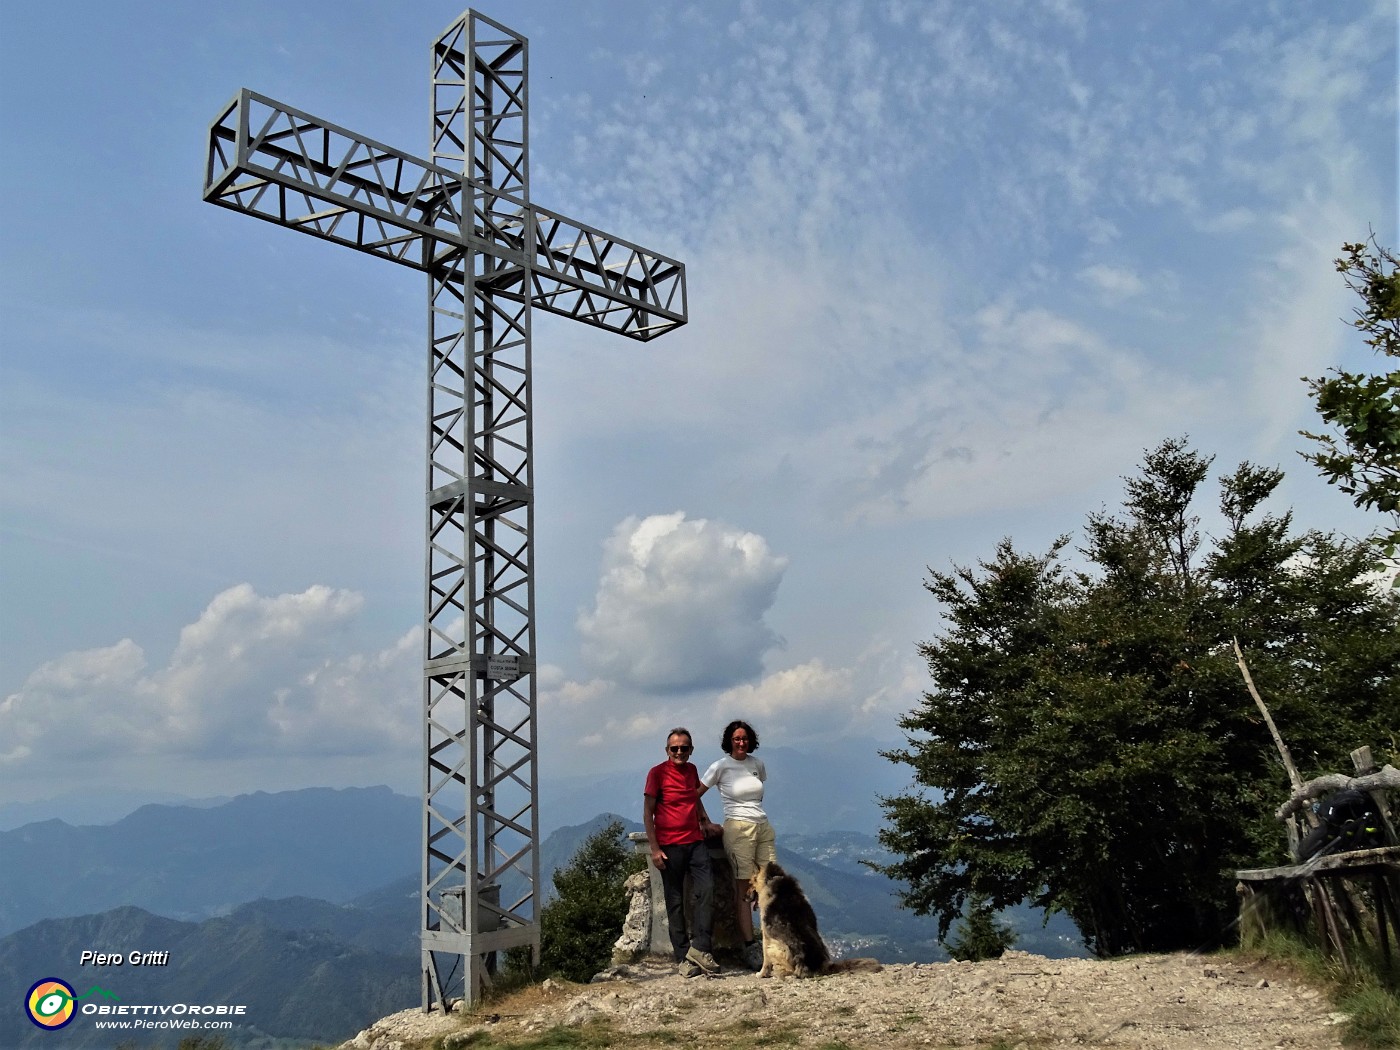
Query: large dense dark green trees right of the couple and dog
x=1088, y=744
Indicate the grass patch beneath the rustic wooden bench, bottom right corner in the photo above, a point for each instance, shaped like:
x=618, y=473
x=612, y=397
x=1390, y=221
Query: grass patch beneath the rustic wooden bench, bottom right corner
x=1367, y=995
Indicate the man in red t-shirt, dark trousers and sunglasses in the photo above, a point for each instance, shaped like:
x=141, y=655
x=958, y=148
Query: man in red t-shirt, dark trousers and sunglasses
x=677, y=827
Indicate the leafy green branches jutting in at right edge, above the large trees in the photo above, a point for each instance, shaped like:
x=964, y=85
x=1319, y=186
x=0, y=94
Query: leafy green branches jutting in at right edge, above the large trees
x=1361, y=454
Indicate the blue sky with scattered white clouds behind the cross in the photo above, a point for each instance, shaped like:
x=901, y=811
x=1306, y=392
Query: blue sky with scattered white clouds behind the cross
x=951, y=268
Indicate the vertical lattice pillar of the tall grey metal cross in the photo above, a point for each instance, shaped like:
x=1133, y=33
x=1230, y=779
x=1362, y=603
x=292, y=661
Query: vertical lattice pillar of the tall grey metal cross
x=481, y=799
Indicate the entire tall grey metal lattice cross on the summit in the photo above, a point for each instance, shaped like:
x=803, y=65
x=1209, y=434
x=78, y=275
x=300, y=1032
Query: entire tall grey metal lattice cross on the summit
x=467, y=220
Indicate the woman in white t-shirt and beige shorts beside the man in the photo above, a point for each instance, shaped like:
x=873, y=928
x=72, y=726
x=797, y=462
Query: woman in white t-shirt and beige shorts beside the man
x=748, y=836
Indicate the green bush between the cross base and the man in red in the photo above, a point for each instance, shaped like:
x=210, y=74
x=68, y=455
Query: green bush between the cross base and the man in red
x=579, y=927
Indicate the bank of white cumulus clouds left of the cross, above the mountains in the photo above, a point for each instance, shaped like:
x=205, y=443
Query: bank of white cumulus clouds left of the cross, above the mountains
x=253, y=675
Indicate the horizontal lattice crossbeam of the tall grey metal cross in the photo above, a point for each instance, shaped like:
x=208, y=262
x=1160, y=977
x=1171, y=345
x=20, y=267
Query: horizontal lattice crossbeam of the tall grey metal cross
x=288, y=167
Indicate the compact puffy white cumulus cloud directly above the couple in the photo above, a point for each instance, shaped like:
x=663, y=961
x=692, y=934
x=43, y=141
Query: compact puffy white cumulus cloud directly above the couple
x=681, y=604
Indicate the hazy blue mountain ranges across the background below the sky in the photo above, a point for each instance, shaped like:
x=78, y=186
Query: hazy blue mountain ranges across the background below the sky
x=304, y=906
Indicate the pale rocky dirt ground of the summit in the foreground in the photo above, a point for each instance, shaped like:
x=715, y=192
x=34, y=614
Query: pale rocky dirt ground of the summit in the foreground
x=1147, y=1003
